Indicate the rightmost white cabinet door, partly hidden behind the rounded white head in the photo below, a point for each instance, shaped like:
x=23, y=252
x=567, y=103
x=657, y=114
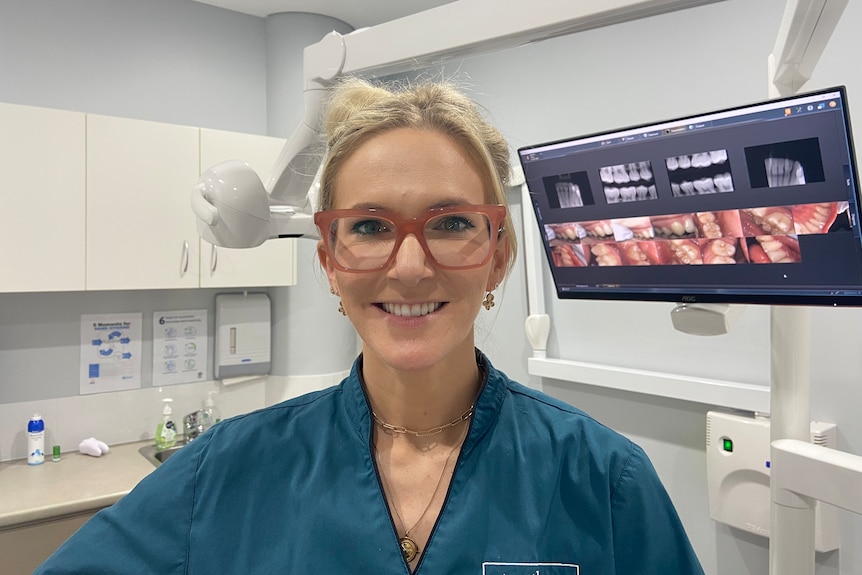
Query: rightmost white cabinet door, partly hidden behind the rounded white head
x=273, y=262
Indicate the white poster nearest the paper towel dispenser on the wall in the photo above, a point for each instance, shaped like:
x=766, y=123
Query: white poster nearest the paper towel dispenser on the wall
x=179, y=346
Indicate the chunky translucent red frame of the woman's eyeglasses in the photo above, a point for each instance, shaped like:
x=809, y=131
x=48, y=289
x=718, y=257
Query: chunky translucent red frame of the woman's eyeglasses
x=496, y=214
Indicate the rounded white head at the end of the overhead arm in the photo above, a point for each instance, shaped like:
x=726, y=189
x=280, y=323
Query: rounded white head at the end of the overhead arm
x=232, y=206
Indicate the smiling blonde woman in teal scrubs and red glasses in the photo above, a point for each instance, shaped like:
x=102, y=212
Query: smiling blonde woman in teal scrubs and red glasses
x=425, y=459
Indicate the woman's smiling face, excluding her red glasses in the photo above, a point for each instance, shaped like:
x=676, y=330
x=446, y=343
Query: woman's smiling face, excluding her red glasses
x=412, y=315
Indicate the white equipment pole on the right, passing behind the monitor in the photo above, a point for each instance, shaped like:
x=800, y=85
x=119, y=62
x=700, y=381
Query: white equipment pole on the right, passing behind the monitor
x=800, y=472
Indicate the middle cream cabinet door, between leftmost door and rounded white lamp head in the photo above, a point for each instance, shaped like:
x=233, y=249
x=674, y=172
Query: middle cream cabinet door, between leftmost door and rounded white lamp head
x=140, y=229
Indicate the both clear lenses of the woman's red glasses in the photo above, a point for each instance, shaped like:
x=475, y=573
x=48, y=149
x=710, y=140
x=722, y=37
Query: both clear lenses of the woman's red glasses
x=454, y=239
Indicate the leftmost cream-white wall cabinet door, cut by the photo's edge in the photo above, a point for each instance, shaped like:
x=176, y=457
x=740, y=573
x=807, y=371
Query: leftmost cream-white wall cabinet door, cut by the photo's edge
x=42, y=199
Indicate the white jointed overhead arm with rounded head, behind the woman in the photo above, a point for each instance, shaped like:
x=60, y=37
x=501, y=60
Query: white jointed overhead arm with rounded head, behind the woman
x=233, y=207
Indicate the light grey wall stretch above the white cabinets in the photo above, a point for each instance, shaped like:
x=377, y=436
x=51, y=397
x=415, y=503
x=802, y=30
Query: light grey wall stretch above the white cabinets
x=177, y=62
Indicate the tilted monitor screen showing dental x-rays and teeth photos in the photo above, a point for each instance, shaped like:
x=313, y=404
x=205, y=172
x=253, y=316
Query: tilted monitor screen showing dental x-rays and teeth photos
x=754, y=204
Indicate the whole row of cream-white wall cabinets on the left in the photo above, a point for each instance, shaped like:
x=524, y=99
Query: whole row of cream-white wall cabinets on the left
x=94, y=202
